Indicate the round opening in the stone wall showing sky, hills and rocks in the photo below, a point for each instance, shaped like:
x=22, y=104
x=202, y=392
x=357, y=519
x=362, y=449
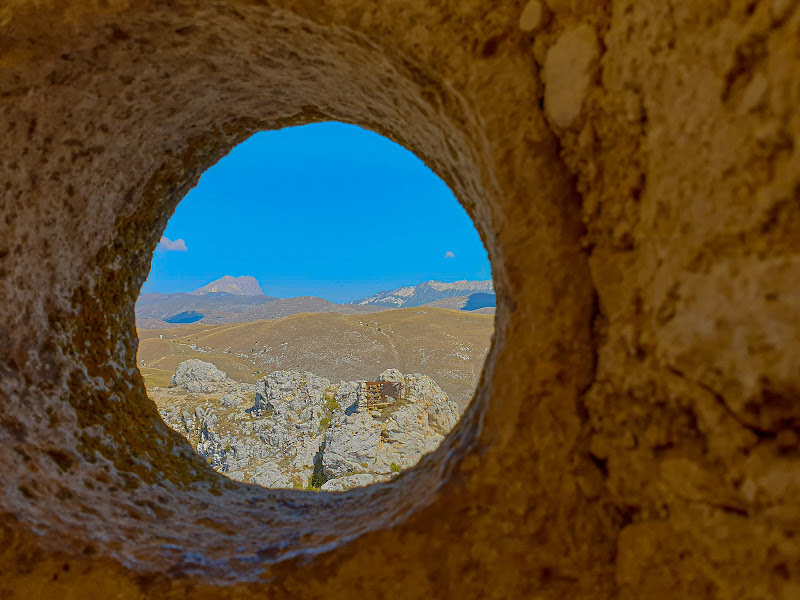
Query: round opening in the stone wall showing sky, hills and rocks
x=318, y=311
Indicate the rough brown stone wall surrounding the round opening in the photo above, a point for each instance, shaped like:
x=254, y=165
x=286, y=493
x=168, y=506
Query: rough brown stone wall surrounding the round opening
x=641, y=384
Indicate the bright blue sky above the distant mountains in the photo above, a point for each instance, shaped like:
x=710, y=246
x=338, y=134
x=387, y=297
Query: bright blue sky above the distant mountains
x=328, y=210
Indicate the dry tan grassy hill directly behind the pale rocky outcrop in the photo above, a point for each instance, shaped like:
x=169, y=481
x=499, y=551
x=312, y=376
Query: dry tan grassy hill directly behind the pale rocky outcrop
x=448, y=345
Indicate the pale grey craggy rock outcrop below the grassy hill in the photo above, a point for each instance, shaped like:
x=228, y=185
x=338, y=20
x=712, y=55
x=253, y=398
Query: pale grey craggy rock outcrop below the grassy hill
x=298, y=430
